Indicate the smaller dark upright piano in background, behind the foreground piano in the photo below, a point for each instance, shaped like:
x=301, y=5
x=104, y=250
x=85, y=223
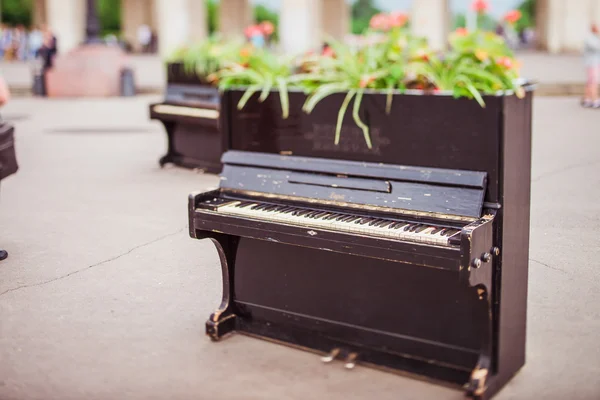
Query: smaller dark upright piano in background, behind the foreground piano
x=190, y=115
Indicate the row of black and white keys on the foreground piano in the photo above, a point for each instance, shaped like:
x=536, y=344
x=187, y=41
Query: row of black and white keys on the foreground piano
x=372, y=226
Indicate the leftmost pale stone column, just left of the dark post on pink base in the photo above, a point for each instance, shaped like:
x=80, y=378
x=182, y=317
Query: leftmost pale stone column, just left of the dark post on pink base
x=66, y=18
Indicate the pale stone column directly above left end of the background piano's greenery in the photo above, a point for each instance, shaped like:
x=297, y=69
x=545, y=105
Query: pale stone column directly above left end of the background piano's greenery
x=173, y=20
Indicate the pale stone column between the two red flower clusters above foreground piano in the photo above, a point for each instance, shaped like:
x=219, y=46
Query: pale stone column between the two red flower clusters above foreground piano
x=431, y=19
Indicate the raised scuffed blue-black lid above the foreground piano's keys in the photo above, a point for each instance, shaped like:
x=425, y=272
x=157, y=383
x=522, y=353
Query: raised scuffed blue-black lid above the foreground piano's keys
x=391, y=188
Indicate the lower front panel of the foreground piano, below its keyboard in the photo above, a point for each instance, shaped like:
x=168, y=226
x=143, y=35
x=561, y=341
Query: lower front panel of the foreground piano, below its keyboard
x=413, y=310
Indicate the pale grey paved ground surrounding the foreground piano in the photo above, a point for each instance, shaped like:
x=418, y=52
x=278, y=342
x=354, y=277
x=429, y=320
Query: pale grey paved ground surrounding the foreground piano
x=104, y=295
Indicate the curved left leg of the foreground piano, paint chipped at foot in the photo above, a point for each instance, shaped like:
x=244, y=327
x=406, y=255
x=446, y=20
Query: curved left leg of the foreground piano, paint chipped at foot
x=223, y=320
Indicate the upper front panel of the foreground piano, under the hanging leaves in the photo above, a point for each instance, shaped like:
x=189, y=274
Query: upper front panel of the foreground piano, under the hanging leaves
x=417, y=132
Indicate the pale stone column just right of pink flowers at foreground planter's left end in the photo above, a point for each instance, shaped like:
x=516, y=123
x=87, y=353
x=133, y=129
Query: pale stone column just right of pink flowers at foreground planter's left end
x=300, y=26
